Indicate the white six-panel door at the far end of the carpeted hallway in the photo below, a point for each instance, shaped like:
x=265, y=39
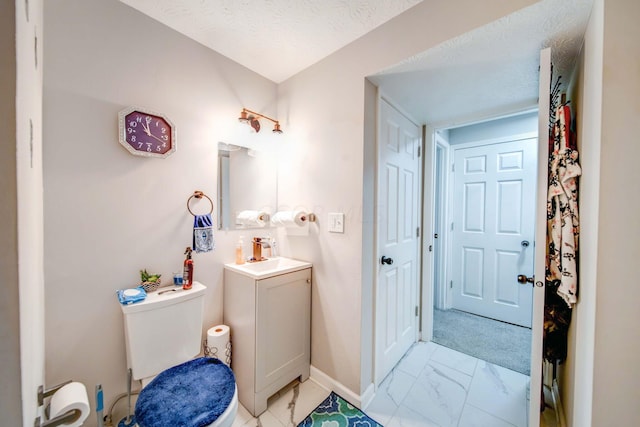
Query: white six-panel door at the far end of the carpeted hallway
x=493, y=229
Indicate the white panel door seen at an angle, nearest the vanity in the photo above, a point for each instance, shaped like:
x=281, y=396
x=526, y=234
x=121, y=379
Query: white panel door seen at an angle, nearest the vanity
x=397, y=241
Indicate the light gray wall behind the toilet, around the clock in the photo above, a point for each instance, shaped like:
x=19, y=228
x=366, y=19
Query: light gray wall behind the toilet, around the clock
x=108, y=213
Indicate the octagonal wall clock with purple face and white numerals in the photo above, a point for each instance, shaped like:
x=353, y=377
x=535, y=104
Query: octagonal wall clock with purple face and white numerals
x=145, y=133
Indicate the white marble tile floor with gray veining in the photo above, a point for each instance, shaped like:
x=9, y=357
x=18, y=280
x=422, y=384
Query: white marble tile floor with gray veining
x=432, y=386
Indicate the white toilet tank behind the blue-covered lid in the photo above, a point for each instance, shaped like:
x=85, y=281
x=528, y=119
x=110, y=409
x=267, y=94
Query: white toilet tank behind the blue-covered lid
x=164, y=330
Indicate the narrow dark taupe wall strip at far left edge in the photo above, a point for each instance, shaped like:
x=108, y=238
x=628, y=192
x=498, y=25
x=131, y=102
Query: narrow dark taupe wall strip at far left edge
x=10, y=393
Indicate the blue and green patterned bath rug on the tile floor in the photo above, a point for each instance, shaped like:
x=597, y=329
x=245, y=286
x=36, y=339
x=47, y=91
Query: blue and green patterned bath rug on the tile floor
x=334, y=411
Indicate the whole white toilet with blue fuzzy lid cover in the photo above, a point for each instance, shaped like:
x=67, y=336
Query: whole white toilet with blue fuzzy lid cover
x=162, y=338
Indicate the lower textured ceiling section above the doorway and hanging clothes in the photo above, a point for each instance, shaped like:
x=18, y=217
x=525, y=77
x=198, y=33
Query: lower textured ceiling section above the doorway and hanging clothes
x=490, y=71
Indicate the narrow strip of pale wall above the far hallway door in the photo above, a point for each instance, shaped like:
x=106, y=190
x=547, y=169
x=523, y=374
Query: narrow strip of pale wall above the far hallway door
x=495, y=129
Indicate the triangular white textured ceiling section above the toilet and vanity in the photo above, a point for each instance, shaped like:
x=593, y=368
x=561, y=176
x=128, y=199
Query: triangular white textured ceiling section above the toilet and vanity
x=275, y=38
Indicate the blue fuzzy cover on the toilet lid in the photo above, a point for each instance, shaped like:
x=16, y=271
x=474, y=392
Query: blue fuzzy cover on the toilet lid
x=193, y=394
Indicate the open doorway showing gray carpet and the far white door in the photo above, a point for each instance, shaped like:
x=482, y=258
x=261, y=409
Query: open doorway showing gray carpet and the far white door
x=483, y=227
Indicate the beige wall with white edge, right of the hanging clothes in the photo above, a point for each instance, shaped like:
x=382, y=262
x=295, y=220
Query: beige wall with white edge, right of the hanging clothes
x=601, y=377
